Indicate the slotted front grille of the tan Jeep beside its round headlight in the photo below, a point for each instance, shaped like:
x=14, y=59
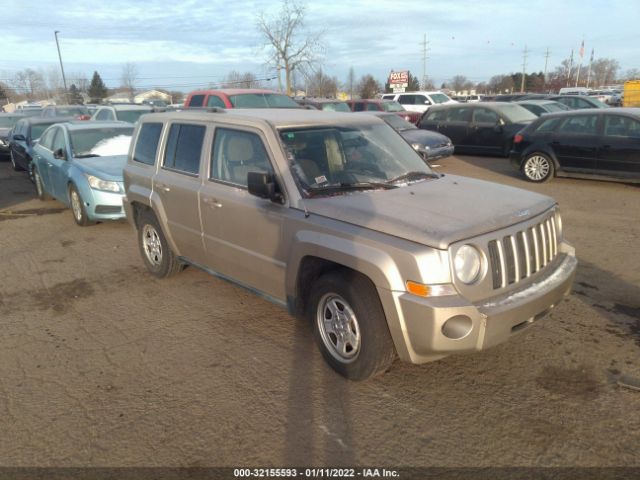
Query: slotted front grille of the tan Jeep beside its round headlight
x=520, y=255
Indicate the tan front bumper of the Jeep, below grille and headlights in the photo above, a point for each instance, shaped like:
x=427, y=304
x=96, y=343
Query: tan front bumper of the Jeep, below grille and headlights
x=418, y=330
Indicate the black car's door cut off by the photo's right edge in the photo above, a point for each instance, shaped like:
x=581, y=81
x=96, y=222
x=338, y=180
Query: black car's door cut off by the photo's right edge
x=620, y=152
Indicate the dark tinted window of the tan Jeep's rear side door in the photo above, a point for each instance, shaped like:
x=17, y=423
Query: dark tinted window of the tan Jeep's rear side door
x=184, y=147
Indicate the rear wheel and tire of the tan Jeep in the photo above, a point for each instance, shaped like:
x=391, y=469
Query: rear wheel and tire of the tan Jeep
x=154, y=248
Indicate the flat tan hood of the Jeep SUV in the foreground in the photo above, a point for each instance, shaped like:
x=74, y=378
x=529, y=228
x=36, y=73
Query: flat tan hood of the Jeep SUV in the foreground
x=435, y=212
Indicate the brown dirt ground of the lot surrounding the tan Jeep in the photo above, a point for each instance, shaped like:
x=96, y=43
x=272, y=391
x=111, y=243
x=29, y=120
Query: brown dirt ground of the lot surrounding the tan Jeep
x=103, y=365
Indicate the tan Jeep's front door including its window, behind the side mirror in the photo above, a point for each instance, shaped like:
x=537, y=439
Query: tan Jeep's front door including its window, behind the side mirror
x=242, y=233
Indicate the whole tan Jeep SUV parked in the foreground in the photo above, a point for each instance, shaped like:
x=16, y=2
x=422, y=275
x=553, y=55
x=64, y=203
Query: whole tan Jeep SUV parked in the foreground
x=336, y=217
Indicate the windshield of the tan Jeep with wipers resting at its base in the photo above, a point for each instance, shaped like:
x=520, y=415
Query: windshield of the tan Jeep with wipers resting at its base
x=325, y=159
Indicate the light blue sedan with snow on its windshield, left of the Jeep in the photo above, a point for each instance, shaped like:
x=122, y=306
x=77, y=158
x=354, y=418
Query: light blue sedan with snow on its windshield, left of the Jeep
x=80, y=164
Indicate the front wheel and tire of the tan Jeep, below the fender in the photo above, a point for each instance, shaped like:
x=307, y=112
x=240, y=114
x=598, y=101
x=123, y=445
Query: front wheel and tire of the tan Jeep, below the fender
x=349, y=325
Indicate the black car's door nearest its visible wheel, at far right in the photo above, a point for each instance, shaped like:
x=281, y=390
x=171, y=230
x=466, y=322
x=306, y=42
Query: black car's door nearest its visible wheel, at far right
x=577, y=142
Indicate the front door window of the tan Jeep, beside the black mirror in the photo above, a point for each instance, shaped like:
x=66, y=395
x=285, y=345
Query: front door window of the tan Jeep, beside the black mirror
x=235, y=154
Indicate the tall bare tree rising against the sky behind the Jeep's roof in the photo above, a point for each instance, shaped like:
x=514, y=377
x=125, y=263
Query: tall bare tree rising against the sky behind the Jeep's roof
x=291, y=47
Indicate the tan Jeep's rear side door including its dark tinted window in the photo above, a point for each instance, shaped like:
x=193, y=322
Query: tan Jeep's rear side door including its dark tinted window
x=177, y=183
